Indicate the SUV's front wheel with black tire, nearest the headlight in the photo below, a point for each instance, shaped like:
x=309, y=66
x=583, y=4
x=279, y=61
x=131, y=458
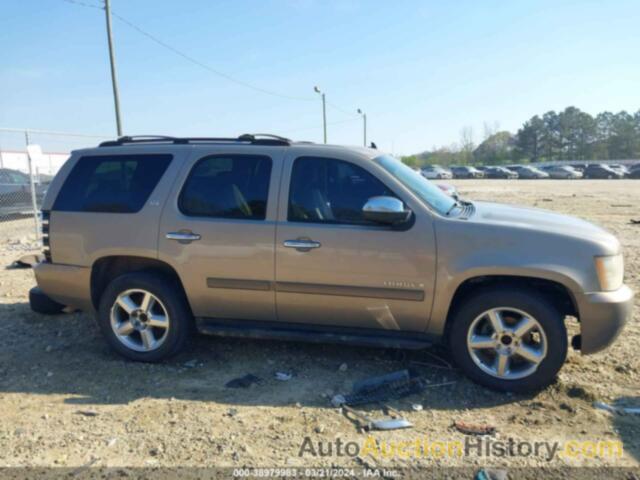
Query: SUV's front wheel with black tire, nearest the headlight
x=509, y=340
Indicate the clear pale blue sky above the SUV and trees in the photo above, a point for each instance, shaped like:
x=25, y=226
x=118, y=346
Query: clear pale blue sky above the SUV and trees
x=421, y=70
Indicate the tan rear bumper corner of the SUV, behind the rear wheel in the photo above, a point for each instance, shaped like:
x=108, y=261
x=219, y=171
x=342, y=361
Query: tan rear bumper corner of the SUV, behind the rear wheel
x=66, y=284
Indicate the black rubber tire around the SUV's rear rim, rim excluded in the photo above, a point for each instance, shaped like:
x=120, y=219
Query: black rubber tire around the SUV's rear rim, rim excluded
x=181, y=323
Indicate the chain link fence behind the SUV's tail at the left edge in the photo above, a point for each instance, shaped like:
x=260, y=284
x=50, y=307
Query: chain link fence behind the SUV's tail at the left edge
x=29, y=159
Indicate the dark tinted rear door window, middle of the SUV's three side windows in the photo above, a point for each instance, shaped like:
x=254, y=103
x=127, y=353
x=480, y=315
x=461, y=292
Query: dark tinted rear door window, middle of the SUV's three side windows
x=227, y=186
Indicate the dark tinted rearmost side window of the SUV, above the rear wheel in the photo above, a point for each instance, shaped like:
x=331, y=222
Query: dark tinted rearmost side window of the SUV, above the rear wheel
x=115, y=184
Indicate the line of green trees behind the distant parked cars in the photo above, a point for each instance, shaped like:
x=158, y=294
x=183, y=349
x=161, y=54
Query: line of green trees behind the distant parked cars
x=567, y=135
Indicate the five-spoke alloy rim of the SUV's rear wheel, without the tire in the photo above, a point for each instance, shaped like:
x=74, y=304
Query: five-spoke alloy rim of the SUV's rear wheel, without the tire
x=139, y=320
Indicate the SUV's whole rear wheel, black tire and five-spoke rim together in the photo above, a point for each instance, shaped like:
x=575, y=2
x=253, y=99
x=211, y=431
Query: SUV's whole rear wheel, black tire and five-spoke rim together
x=145, y=317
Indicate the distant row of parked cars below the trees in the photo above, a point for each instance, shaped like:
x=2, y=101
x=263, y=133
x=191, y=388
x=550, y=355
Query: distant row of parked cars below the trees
x=565, y=172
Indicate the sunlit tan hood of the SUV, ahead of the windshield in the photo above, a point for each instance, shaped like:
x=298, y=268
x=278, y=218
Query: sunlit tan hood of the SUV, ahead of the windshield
x=543, y=221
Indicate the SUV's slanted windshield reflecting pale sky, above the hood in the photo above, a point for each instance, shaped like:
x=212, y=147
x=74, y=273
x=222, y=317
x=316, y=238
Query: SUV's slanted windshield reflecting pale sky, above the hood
x=420, y=186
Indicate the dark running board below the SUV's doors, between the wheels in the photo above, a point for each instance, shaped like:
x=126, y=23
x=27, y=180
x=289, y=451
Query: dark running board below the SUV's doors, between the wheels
x=313, y=333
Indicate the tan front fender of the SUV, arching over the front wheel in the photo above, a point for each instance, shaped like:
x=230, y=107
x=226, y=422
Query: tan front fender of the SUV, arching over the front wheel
x=467, y=250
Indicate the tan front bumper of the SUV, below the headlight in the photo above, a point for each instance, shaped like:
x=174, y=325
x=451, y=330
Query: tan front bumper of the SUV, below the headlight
x=602, y=317
